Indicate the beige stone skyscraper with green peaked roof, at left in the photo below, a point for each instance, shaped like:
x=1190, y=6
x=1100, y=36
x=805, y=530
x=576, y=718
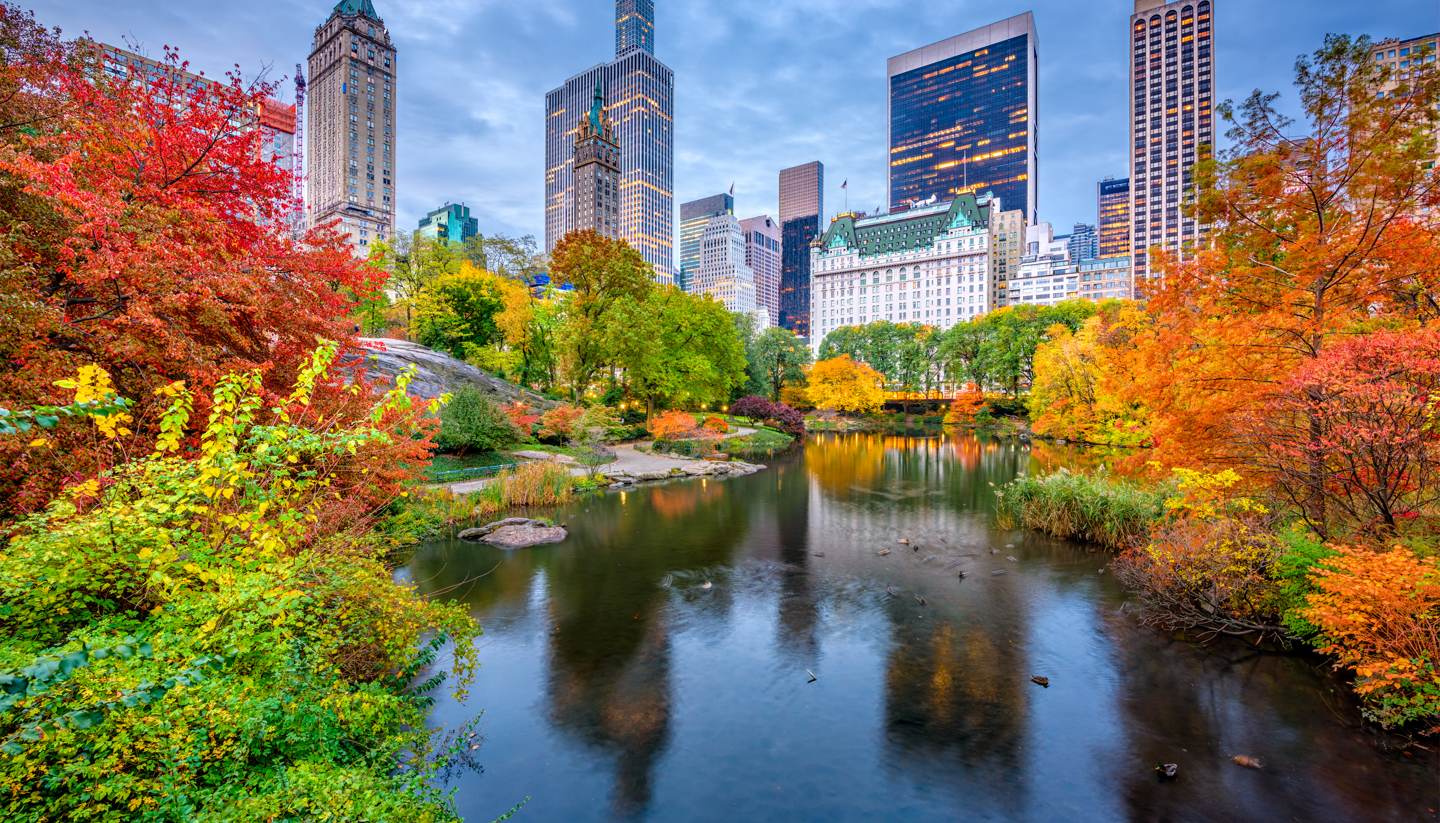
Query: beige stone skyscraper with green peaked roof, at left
x=352, y=129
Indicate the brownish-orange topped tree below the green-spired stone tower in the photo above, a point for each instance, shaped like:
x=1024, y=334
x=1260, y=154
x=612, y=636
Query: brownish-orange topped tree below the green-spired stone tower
x=603, y=274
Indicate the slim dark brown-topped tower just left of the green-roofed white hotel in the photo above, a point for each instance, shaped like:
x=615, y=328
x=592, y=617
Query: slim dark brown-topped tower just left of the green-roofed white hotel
x=803, y=204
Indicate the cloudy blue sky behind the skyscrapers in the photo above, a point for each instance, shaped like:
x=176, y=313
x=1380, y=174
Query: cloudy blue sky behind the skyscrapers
x=760, y=84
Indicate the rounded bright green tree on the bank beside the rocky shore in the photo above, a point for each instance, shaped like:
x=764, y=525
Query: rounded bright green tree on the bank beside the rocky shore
x=678, y=349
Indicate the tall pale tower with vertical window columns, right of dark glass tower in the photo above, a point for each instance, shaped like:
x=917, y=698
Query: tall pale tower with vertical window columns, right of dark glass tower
x=1173, y=124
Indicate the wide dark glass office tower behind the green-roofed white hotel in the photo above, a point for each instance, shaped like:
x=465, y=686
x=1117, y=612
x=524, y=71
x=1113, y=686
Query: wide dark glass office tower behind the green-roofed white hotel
x=963, y=119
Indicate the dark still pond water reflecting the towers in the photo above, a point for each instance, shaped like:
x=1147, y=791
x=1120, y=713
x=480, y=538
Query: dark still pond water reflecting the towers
x=657, y=665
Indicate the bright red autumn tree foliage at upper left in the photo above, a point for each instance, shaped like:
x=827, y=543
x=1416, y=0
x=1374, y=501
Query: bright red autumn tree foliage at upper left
x=145, y=231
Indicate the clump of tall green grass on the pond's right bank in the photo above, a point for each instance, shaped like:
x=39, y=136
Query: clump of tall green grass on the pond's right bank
x=1099, y=510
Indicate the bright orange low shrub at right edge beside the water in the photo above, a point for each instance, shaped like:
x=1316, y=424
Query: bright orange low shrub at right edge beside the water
x=1379, y=614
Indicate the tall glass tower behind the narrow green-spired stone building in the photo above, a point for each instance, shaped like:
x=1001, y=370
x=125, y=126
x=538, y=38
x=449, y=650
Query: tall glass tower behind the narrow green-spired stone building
x=642, y=110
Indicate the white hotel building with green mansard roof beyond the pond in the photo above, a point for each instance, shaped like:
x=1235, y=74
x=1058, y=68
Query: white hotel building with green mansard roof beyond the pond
x=928, y=265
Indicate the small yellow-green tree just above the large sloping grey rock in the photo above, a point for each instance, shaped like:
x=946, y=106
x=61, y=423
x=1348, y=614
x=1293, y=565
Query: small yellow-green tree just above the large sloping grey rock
x=457, y=313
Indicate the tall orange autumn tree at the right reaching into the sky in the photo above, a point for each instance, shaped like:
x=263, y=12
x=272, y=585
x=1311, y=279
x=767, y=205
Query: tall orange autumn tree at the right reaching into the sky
x=1320, y=232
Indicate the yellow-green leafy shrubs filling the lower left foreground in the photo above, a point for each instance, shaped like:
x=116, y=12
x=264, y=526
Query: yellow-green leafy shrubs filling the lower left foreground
x=204, y=606
